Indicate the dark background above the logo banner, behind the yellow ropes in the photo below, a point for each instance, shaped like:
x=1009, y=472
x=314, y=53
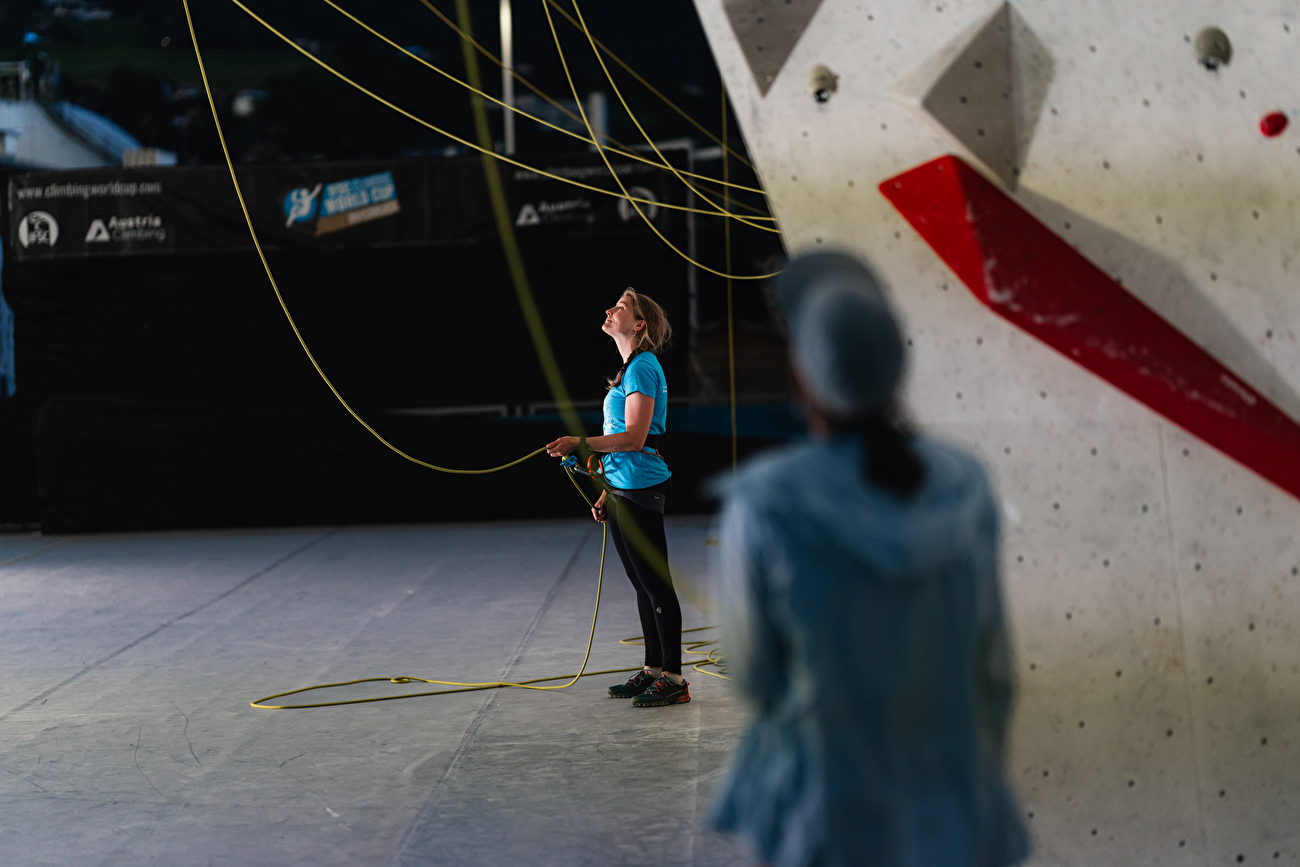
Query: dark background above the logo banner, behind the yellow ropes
x=122, y=70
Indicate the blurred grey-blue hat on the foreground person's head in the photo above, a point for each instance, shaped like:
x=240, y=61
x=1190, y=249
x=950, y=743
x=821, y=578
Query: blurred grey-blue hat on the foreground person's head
x=844, y=339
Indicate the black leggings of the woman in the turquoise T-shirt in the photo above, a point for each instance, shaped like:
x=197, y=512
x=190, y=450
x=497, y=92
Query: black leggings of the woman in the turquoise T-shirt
x=657, y=601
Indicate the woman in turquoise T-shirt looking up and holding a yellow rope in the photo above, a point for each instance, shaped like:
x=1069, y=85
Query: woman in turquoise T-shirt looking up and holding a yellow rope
x=636, y=414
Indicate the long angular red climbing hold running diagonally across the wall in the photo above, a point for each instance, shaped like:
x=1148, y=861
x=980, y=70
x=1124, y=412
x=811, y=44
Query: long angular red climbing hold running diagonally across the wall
x=1028, y=275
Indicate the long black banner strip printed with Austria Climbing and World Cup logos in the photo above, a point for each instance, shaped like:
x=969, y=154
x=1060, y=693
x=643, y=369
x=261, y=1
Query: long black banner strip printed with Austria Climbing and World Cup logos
x=111, y=213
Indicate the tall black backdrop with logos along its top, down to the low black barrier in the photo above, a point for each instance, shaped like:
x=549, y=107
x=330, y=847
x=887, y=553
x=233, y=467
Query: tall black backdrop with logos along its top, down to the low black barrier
x=395, y=272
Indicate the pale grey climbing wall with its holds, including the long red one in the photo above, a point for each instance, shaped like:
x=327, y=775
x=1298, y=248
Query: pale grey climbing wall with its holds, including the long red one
x=1106, y=307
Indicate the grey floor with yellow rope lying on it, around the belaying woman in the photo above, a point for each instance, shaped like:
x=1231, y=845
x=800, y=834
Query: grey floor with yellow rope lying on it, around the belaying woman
x=129, y=662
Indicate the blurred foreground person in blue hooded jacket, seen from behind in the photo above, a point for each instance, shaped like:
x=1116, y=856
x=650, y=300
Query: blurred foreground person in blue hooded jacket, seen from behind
x=863, y=619
